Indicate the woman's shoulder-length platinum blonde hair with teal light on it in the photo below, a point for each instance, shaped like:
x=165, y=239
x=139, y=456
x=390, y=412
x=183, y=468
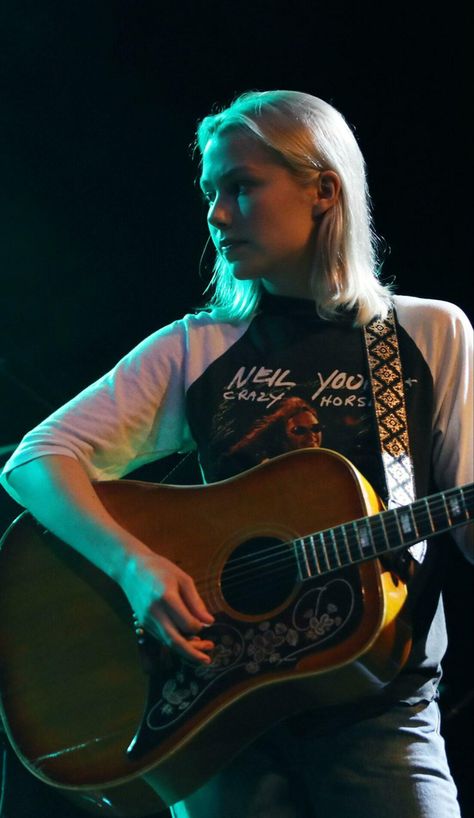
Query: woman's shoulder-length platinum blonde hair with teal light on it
x=309, y=136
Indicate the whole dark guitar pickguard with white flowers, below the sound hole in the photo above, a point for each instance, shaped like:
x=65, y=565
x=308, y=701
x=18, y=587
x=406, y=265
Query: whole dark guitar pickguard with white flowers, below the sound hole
x=324, y=614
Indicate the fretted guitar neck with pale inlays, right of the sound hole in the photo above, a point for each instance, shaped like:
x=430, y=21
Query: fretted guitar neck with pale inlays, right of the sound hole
x=391, y=530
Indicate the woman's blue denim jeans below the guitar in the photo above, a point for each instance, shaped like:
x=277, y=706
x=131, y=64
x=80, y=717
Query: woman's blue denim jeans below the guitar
x=392, y=765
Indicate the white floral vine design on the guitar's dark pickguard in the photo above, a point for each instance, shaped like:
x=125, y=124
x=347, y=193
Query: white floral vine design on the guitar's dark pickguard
x=317, y=616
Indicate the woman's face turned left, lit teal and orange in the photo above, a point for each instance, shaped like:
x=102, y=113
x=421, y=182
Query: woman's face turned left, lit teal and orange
x=260, y=216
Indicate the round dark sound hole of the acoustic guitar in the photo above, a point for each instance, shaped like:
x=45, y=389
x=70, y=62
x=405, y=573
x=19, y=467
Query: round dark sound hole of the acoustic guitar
x=259, y=576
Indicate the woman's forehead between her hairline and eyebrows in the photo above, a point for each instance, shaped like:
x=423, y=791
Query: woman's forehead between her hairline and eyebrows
x=234, y=150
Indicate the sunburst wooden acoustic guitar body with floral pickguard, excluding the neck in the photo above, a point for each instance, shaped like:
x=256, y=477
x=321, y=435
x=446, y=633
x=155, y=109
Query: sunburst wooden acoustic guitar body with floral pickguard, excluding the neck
x=130, y=729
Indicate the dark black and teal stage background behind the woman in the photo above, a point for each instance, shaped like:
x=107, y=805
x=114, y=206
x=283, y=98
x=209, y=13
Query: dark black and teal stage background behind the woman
x=102, y=228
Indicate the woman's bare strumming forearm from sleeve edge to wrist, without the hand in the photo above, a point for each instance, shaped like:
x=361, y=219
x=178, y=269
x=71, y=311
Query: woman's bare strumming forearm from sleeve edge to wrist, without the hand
x=58, y=492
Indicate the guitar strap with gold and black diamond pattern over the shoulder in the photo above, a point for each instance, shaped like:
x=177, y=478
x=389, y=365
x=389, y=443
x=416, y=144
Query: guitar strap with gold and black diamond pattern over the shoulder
x=388, y=395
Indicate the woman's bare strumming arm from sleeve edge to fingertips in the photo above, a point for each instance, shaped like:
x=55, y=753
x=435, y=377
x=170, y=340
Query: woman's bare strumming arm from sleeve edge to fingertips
x=58, y=492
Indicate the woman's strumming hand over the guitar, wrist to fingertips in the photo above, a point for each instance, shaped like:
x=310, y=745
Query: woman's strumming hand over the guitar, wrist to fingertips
x=166, y=602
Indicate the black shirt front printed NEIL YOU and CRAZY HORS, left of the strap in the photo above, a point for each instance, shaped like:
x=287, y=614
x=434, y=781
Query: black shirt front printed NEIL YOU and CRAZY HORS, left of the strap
x=277, y=390
